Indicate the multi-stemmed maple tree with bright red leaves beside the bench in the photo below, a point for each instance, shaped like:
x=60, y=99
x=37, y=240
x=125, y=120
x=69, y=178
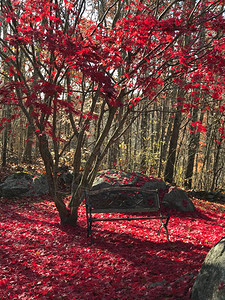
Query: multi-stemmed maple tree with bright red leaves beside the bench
x=58, y=60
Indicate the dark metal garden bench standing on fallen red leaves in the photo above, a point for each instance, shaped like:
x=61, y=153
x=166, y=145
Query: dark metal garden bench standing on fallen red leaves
x=124, y=200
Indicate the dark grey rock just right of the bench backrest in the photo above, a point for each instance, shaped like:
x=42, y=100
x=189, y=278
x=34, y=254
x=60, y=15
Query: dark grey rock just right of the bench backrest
x=178, y=199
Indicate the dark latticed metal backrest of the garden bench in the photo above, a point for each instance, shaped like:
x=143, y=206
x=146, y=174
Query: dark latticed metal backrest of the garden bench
x=122, y=199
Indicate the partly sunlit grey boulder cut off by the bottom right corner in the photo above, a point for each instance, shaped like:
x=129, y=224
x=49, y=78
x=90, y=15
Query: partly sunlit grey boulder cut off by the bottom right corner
x=210, y=282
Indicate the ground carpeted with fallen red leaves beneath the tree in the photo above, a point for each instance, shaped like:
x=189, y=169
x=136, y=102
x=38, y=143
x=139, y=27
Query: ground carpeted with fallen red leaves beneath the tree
x=40, y=259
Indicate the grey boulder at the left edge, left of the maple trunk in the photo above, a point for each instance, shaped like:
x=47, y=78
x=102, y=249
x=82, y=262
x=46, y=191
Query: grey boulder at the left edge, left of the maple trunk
x=23, y=185
